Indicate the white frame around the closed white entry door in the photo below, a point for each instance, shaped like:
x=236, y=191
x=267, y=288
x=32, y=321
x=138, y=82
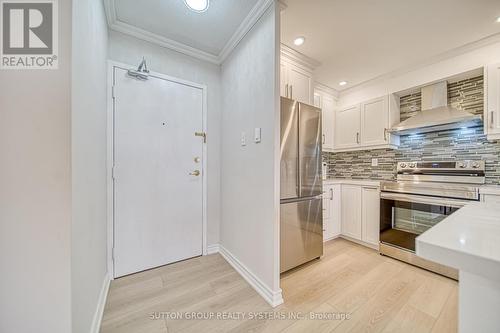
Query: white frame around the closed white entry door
x=110, y=154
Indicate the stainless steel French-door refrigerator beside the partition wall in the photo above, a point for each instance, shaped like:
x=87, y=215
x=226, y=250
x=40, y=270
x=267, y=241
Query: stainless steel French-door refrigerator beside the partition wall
x=301, y=220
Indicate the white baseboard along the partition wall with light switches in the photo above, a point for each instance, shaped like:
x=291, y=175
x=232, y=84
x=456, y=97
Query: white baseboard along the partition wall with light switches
x=274, y=298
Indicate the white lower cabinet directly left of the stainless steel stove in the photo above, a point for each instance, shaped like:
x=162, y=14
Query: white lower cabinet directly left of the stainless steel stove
x=358, y=209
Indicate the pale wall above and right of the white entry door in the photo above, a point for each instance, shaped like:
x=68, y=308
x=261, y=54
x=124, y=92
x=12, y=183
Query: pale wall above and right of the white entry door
x=129, y=50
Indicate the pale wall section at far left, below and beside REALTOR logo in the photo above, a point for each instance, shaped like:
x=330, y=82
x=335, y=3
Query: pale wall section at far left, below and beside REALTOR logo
x=35, y=193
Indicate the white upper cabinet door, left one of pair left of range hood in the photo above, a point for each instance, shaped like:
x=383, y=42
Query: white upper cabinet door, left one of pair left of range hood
x=347, y=127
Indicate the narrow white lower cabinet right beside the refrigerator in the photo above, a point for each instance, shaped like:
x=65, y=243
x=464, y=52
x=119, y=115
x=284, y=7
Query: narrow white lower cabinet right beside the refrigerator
x=331, y=212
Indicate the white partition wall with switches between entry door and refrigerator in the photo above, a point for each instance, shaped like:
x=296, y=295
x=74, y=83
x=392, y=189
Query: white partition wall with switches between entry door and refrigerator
x=250, y=180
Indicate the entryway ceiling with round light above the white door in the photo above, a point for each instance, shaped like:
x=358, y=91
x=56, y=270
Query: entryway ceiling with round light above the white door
x=209, y=31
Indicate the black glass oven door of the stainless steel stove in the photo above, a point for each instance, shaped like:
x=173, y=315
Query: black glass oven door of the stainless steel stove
x=404, y=216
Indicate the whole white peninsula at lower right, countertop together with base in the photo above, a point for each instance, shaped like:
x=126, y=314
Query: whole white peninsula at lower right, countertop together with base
x=469, y=240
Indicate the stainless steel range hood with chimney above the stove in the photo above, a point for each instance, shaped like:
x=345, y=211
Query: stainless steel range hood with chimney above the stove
x=436, y=114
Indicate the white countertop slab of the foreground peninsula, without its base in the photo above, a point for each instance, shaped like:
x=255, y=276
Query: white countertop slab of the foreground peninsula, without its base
x=468, y=240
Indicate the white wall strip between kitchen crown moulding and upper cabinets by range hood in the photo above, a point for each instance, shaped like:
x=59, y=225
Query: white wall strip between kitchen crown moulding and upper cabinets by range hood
x=423, y=75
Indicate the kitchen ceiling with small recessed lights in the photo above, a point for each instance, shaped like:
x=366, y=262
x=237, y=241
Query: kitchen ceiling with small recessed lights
x=359, y=40
